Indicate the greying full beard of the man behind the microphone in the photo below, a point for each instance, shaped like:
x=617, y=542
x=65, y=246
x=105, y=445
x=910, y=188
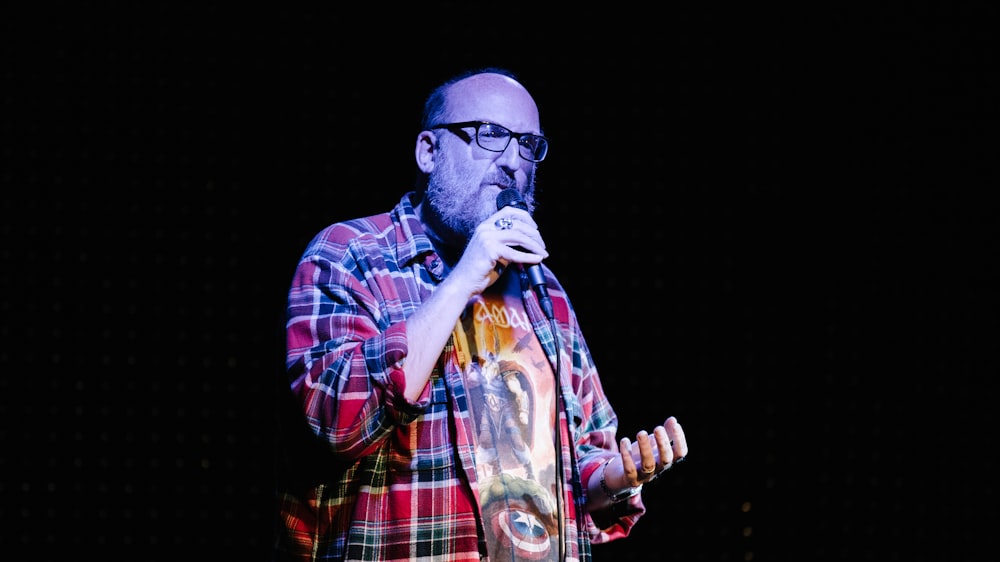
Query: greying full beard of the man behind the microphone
x=458, y=203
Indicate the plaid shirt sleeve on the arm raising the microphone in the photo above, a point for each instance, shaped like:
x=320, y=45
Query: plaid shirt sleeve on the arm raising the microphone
x=346, y=341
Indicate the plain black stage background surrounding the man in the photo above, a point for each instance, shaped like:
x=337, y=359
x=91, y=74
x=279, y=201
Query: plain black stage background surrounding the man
x=778, y=226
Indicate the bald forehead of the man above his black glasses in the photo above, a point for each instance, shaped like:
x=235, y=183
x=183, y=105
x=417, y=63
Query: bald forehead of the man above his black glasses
x=496, y=98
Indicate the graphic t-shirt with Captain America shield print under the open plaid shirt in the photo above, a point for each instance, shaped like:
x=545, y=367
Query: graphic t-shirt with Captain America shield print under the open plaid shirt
x=511, y=392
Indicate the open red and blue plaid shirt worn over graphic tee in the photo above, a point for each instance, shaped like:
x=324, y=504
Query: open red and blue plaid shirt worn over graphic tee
x=390, y=479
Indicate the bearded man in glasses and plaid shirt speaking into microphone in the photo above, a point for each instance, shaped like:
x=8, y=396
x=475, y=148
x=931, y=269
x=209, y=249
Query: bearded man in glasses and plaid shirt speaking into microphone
x=423, y=348
